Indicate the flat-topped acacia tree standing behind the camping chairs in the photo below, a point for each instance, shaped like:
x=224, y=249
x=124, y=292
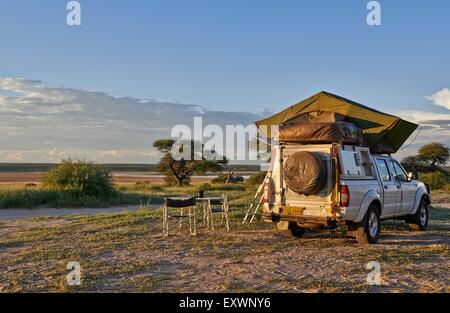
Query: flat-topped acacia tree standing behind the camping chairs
x=179, y=171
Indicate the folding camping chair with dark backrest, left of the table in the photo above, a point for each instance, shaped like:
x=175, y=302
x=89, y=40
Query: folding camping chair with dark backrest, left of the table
x=181, y=217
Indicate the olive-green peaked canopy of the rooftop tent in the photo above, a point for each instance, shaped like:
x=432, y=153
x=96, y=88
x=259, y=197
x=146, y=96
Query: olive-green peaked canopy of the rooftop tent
x=382, y=133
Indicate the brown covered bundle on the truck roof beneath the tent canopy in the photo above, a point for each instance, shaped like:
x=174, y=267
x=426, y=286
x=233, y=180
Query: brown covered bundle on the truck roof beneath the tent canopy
x=321, y=132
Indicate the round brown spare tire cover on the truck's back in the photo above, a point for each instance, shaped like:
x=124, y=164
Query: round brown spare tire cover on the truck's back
x=304, y=173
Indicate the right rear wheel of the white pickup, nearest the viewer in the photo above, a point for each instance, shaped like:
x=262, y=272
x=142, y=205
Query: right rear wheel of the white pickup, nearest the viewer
x=368, y=231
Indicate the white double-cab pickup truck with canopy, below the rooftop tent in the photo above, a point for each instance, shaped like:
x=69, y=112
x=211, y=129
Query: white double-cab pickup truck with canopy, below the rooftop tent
x=327, y=185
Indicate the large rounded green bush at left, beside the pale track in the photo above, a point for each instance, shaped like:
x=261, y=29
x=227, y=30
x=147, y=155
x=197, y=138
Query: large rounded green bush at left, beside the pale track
x=81, y=178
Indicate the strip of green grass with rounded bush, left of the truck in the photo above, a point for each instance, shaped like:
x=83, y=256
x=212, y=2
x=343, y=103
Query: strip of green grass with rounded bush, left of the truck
x=85, y=184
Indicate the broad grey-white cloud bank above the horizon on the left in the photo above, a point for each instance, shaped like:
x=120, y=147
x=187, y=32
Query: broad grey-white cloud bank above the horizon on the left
x=86, y=124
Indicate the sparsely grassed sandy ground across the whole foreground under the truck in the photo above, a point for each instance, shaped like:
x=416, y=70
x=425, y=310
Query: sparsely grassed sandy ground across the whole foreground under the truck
x=125, y=252
